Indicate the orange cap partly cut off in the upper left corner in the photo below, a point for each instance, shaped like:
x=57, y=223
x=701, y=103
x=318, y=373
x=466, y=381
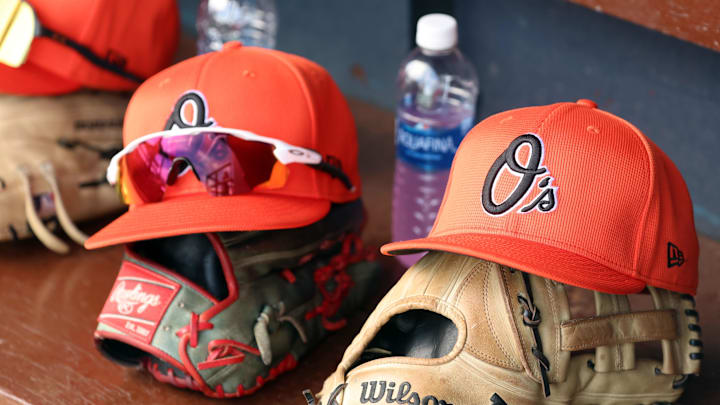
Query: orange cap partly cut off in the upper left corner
x=138, y=36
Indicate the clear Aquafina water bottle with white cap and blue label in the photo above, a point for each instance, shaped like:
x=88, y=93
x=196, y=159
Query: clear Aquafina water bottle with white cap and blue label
x=437, y=90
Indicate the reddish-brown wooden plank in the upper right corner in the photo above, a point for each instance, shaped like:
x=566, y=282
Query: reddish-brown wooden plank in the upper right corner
x=697, y=21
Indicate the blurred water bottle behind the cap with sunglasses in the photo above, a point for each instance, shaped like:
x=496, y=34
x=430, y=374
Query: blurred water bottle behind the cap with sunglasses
x=253, y=22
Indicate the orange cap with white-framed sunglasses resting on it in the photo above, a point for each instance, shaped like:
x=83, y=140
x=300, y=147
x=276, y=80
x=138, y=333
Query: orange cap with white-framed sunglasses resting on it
x=267, y=92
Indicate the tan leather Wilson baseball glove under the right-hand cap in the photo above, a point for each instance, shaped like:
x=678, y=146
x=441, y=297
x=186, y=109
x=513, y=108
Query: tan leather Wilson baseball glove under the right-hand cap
x=461, y=330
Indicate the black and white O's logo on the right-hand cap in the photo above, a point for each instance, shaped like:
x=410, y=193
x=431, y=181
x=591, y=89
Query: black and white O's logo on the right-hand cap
x=545, y=202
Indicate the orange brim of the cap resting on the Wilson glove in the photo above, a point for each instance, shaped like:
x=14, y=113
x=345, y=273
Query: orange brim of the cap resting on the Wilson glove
x=532, y=257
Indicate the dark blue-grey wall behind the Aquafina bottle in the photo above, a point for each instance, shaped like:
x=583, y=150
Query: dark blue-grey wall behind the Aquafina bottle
x=531, y=52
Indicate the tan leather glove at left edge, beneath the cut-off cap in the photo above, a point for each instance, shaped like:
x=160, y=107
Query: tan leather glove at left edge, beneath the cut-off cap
x=53, y=156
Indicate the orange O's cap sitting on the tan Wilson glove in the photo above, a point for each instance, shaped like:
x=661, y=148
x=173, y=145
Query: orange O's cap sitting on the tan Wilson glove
x=571, y=193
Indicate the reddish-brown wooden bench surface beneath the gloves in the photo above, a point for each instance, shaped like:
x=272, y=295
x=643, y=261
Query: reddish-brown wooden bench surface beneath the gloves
x=49, y=305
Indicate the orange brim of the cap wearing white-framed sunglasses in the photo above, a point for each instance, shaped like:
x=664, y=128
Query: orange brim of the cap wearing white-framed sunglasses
x=202, y=213
